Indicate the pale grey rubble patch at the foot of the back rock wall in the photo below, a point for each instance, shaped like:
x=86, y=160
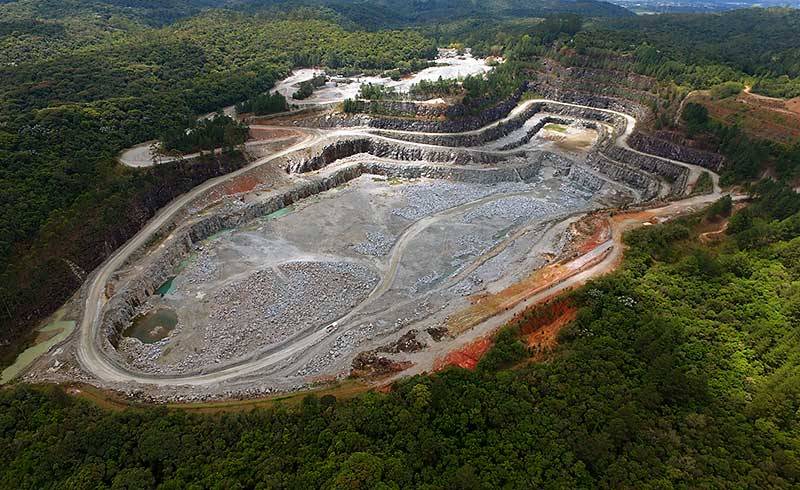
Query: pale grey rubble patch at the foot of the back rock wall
x=429, y=197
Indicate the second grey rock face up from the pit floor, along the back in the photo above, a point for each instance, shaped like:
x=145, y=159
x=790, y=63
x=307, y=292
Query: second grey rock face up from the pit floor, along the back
x=388, y=149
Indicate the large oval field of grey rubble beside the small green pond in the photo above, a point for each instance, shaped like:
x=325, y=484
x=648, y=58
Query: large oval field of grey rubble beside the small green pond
x=267, y=308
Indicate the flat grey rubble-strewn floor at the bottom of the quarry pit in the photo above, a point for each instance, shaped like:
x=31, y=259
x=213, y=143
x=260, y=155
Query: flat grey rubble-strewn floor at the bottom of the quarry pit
x=375, y=255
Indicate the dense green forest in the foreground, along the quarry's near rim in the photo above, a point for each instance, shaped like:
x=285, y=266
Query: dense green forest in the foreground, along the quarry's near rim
x=682, y=369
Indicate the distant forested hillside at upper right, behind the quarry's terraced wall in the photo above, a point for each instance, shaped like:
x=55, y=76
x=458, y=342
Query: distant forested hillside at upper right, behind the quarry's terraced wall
x=705, y=50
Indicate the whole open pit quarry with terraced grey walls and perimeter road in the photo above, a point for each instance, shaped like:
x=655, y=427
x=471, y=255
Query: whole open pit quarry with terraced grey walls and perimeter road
x=371, y=246
